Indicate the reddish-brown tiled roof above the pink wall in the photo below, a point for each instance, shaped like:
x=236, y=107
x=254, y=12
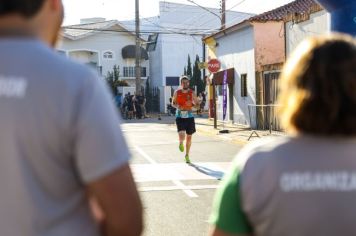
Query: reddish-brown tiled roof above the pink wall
x=300, y=7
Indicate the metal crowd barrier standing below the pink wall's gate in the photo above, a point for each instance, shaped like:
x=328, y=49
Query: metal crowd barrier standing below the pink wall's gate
x=264, y=117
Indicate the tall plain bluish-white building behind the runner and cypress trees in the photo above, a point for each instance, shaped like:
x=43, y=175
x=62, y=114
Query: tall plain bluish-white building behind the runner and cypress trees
x=181, y=28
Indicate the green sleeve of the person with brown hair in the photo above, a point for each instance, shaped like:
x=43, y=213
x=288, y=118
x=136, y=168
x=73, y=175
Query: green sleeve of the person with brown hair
x=227, y=213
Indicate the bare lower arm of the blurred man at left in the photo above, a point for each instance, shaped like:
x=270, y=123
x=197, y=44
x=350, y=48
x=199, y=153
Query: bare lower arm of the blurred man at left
x=116, y=203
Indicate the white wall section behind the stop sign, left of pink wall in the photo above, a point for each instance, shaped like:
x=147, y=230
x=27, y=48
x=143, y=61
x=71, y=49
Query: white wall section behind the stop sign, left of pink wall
x=235, y=49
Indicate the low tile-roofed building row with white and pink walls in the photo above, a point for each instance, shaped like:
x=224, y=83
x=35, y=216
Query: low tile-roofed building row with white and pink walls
x=253, y=53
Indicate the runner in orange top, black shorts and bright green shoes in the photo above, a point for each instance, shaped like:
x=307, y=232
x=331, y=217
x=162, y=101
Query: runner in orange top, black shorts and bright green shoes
x=184, y=99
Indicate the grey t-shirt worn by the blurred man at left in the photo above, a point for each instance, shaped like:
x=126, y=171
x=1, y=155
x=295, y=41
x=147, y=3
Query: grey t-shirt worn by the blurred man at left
x=59, y=131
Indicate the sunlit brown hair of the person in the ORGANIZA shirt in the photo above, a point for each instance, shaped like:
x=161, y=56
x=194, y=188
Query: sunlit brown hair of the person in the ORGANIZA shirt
x=319, y=87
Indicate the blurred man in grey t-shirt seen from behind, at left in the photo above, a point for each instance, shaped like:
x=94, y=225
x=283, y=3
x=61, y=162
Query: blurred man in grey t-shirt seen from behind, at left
x=60, y=143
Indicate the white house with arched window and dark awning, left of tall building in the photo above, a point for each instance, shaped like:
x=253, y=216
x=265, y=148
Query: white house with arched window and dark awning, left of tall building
x=102, y=44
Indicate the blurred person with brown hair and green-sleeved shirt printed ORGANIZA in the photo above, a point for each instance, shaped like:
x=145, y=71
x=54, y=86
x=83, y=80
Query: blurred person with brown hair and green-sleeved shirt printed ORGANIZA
x=305, y=183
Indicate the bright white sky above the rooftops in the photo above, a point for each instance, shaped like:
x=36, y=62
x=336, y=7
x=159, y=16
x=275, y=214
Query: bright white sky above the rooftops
x=125, y=9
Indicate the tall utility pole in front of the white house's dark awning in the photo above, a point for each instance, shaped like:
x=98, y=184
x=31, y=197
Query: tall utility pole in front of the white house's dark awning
x=138, y=48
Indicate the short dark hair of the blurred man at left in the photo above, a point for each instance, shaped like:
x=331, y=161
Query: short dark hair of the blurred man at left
x=26, y=8
